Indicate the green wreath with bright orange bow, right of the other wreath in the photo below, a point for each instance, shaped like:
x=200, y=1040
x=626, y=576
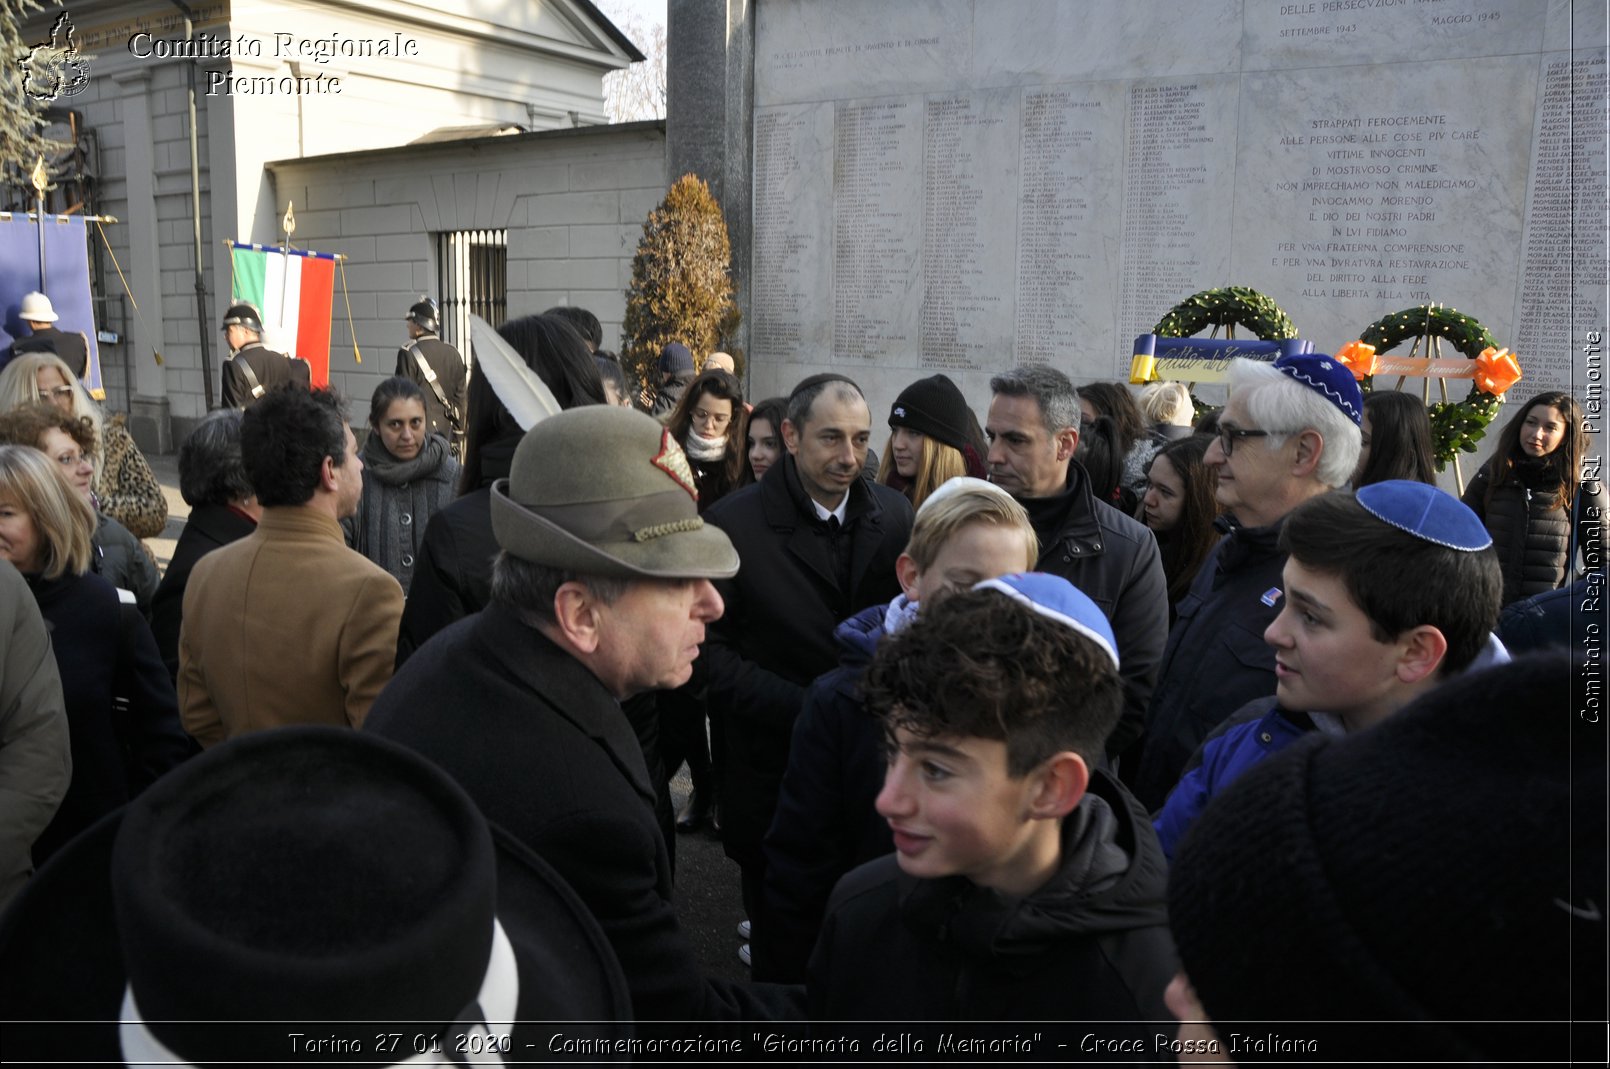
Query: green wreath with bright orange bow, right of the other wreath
x=1456, y=426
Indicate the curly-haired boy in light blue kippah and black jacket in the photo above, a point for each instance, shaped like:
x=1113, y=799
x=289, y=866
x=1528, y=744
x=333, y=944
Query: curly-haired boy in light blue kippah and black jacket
x=1025, y=883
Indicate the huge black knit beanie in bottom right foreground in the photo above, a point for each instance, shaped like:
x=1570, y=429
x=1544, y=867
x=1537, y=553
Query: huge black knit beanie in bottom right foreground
x=1443, y=867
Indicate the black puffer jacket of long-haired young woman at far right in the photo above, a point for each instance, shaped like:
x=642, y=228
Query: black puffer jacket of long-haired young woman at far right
x=1532, y=537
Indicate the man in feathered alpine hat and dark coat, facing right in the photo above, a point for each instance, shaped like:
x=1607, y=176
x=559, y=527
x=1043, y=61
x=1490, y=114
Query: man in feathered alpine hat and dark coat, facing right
x=601, y=592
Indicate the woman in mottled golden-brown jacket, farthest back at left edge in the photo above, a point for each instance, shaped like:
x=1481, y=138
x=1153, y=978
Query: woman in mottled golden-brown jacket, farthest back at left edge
x=125, y=485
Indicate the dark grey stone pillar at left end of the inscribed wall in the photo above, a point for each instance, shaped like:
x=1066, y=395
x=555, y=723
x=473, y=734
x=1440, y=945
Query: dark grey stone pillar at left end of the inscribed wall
x=709, y=104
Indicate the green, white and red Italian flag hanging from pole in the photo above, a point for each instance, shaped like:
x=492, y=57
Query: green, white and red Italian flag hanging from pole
x=294, y=292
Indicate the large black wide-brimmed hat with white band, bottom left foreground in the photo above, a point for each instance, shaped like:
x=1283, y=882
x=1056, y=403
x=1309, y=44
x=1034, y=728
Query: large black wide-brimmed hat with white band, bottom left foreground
x=310, y=881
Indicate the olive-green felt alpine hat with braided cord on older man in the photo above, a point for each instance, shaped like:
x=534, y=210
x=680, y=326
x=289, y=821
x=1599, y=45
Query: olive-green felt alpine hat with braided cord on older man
x=608, y=492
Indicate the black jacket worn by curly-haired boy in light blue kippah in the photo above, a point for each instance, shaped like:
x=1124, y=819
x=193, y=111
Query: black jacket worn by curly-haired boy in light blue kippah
x=1091, y=946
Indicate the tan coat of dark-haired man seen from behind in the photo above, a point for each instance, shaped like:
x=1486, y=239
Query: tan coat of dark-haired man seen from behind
x=286, y=627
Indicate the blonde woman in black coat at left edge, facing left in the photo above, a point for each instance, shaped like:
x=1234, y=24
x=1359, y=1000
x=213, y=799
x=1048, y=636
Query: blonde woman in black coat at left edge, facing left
x=123, y=714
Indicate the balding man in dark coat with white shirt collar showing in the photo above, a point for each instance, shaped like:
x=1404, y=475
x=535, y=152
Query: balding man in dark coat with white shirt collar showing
x=819, y=545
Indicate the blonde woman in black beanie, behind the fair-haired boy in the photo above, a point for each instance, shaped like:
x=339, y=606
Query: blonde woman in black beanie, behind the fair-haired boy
x=933, y=439
